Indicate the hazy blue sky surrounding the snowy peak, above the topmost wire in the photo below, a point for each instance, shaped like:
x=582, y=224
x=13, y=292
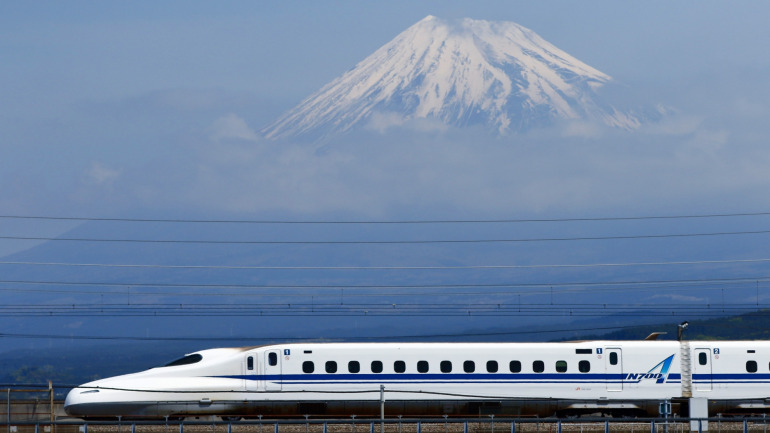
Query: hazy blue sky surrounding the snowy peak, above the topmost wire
x=154, y=107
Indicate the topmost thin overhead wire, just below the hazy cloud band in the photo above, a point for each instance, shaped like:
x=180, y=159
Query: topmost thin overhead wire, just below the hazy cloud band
x=427, y=221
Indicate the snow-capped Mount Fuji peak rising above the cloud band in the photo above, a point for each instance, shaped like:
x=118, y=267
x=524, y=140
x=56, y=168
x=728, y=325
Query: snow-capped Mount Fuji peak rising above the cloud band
x=469, y=72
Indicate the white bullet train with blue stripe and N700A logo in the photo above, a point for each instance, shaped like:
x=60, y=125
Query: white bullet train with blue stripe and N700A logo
x=618, y=378
